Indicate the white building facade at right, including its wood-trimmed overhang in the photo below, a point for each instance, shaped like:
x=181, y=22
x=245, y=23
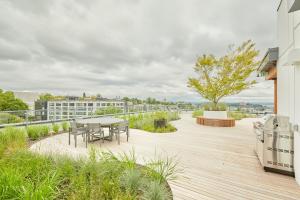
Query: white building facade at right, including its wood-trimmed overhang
x=286, y=69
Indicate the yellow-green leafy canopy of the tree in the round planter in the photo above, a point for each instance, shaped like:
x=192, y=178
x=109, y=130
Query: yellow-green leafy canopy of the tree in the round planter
x=227, y=75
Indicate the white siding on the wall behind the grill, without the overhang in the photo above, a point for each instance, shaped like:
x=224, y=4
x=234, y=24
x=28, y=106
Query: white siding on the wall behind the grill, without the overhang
x=288, y=73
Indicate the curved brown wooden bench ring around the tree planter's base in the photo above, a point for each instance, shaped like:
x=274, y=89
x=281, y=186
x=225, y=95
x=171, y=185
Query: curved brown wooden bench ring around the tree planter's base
x=216, y=122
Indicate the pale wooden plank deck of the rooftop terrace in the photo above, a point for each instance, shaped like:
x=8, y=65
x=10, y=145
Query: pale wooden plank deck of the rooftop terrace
x=217, y=163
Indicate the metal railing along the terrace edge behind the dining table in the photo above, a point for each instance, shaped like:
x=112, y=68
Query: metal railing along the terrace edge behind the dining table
x=28, y=117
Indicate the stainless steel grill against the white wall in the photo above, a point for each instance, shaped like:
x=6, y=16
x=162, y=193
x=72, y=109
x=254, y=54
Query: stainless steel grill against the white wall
x=275, y=143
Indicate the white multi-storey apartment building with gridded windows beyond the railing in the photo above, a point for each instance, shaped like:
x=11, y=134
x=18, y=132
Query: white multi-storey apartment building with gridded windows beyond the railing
x=67, y=109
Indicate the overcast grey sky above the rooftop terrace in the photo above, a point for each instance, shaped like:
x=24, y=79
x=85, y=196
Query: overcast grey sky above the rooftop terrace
x=135, y=48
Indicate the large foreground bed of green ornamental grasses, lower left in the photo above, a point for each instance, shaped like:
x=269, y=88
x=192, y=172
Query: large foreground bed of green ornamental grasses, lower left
x=27, y=175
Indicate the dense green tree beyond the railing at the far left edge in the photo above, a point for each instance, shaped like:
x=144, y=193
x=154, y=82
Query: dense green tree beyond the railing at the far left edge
x=8, y=102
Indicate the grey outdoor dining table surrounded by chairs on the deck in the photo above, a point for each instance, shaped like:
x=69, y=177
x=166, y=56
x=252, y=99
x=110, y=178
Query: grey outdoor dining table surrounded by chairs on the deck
x=106, y=122
